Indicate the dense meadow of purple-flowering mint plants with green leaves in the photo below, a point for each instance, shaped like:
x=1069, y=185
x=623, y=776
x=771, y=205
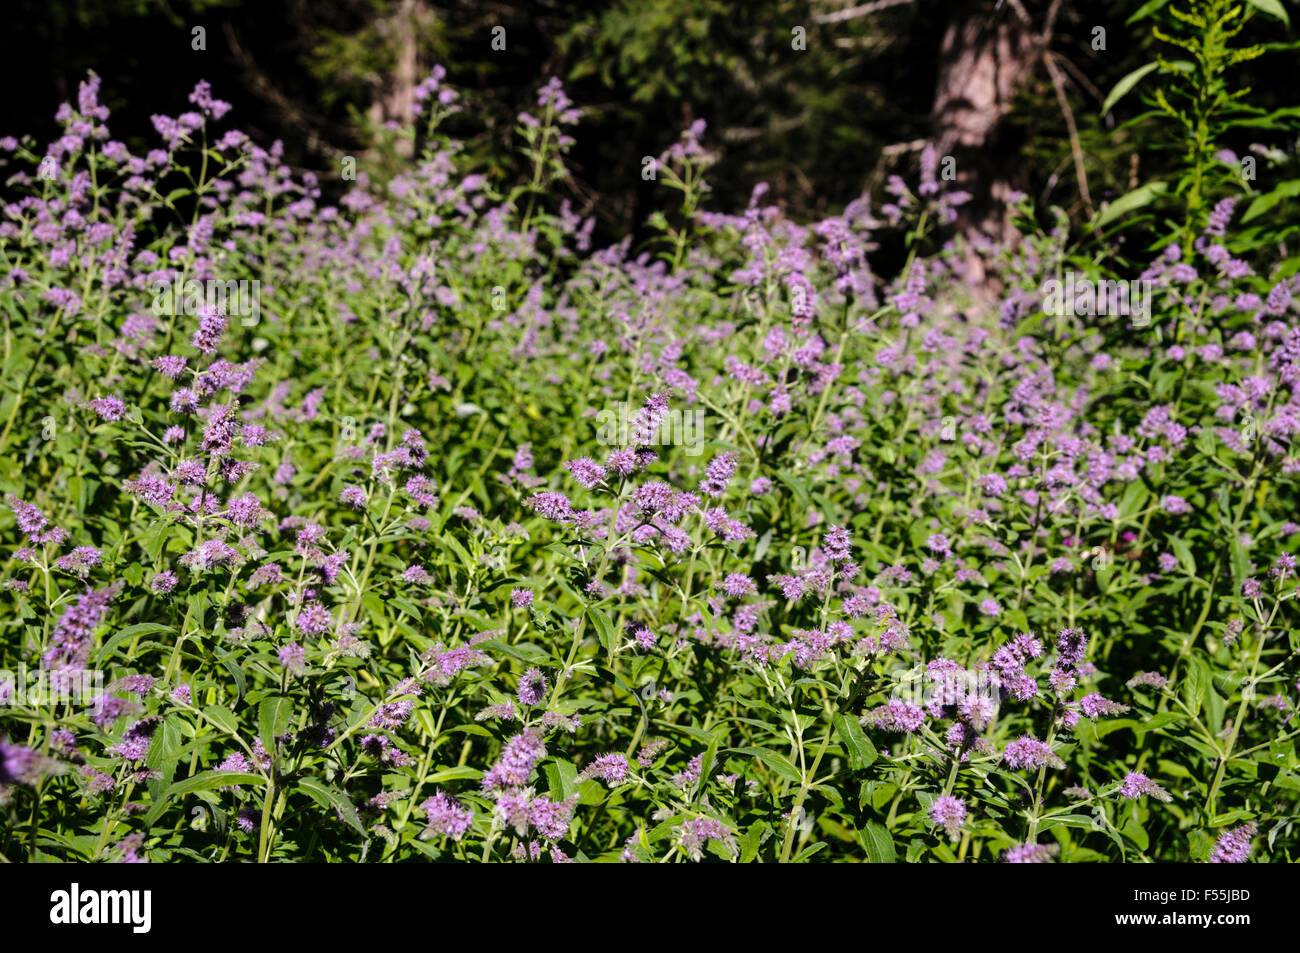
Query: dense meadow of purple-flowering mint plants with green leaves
x=473, y=543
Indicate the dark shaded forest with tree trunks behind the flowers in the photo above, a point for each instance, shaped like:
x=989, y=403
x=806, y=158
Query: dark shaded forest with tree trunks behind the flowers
x=1013, y=89
